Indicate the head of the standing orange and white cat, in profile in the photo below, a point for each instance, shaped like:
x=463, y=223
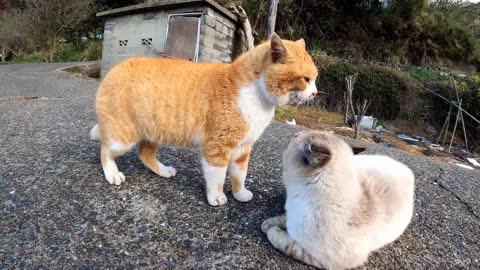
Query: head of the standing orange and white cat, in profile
x=290, y=74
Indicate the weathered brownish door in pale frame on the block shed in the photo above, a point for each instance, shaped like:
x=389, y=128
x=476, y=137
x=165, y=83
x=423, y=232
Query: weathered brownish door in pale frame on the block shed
x=182, y=37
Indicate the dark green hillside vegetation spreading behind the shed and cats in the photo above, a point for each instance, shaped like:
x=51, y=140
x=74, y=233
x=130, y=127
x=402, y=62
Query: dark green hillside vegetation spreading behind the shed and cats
x=398, y=48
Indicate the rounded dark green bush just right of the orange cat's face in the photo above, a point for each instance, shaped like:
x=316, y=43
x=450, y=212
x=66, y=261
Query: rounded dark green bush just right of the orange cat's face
x=392, y=94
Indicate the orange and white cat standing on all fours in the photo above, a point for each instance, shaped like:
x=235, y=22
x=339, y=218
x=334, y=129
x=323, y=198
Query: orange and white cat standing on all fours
x=220, y=108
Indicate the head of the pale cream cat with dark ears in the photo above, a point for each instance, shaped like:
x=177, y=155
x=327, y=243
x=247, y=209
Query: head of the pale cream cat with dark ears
x=311, y=151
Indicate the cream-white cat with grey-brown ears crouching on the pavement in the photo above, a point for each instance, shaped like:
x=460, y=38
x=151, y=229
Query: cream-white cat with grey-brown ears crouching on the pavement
x=340, y=206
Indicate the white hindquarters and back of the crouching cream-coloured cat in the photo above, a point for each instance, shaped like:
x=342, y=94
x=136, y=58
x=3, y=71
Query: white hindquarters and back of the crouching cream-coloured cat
x=388, y=186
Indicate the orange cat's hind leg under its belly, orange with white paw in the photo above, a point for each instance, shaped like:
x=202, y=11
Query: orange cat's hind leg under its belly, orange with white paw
x=147, y=152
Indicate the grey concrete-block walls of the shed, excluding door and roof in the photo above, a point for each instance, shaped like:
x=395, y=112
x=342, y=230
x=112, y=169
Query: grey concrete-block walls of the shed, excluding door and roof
x=215, y=44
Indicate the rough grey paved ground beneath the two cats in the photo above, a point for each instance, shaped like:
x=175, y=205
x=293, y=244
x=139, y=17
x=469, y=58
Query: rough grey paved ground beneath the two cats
x=58, y=212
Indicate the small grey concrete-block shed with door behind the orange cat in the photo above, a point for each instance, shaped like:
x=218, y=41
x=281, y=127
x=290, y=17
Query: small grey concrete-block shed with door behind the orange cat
x=197, y=30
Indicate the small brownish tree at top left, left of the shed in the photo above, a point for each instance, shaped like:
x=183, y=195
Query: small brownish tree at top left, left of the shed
x=47, y=21
